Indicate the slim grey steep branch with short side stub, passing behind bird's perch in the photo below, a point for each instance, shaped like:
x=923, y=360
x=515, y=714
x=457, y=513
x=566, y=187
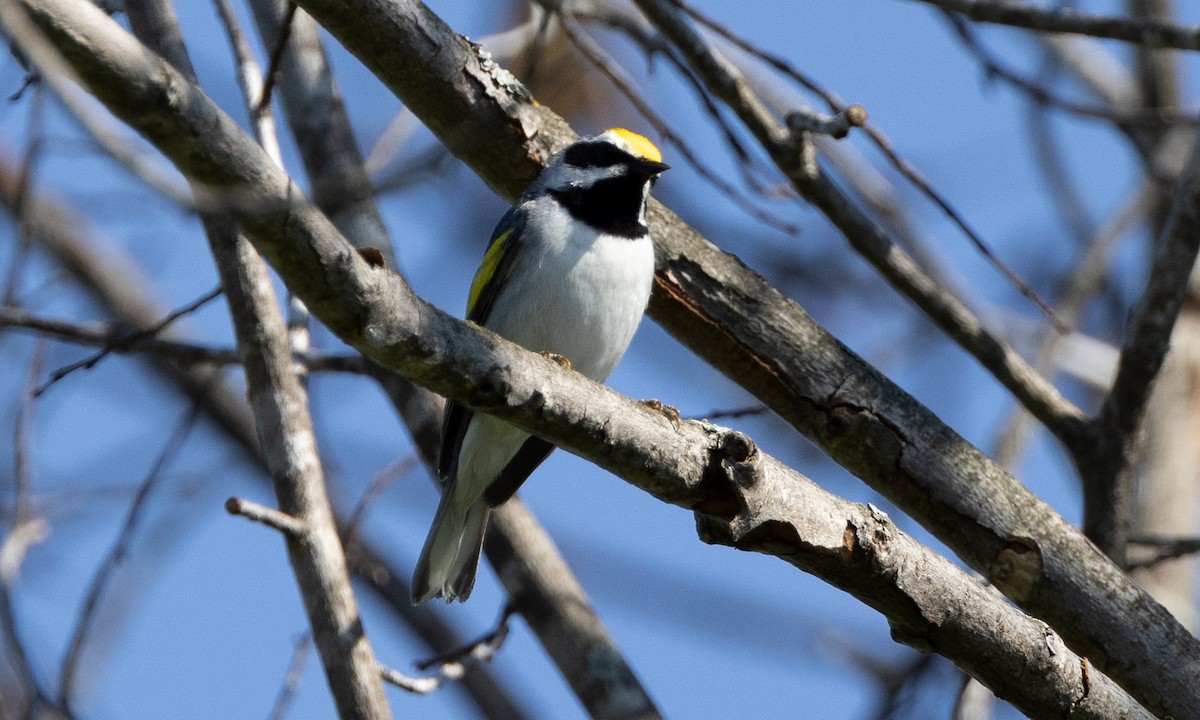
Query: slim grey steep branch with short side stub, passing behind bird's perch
x=280, y=404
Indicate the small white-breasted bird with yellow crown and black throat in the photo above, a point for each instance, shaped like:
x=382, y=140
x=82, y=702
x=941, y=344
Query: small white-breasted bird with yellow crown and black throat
x=568, y=274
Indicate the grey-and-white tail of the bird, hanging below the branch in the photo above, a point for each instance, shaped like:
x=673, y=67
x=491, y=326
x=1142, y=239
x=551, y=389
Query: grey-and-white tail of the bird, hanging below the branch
x=451, y=556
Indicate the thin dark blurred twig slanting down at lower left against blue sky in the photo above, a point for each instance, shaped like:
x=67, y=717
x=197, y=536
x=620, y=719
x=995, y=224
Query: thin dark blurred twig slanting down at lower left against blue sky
x=117, y=555
